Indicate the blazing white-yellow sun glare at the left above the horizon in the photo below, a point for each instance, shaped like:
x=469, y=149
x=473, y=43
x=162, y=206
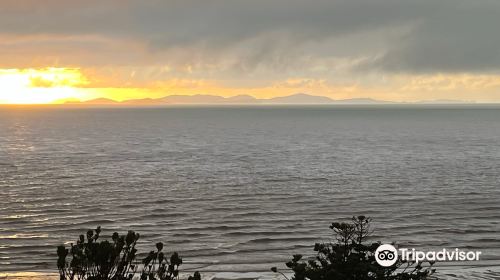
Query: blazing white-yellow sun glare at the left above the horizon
x=40, y=86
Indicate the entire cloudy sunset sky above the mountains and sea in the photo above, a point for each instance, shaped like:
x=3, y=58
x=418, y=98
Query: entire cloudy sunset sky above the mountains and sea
x=396, y=50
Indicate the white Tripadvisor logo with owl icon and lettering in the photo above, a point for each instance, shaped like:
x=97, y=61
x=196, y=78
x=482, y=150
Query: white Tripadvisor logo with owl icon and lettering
x=387, y=255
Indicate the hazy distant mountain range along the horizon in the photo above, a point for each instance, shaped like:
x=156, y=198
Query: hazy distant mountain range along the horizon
x=299, y=98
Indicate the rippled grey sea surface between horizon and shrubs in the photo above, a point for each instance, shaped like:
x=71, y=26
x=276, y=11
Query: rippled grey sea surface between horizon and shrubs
x=241, y=189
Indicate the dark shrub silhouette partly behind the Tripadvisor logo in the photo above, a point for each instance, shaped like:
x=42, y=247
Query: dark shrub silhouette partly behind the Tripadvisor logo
x=349, y=258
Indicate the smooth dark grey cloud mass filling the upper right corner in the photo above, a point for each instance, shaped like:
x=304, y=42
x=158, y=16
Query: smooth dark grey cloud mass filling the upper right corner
x=458, y=36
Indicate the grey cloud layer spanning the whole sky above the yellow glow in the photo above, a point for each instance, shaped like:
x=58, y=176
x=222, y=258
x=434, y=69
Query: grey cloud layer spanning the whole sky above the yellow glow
x=238, y=35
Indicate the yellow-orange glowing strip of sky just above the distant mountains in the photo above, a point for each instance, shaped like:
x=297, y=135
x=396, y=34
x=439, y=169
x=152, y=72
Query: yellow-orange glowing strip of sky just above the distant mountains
x=60, y=85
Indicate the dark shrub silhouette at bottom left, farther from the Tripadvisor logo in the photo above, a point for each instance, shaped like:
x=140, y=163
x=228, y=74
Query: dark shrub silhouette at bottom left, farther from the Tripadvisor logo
x=91, y=259
